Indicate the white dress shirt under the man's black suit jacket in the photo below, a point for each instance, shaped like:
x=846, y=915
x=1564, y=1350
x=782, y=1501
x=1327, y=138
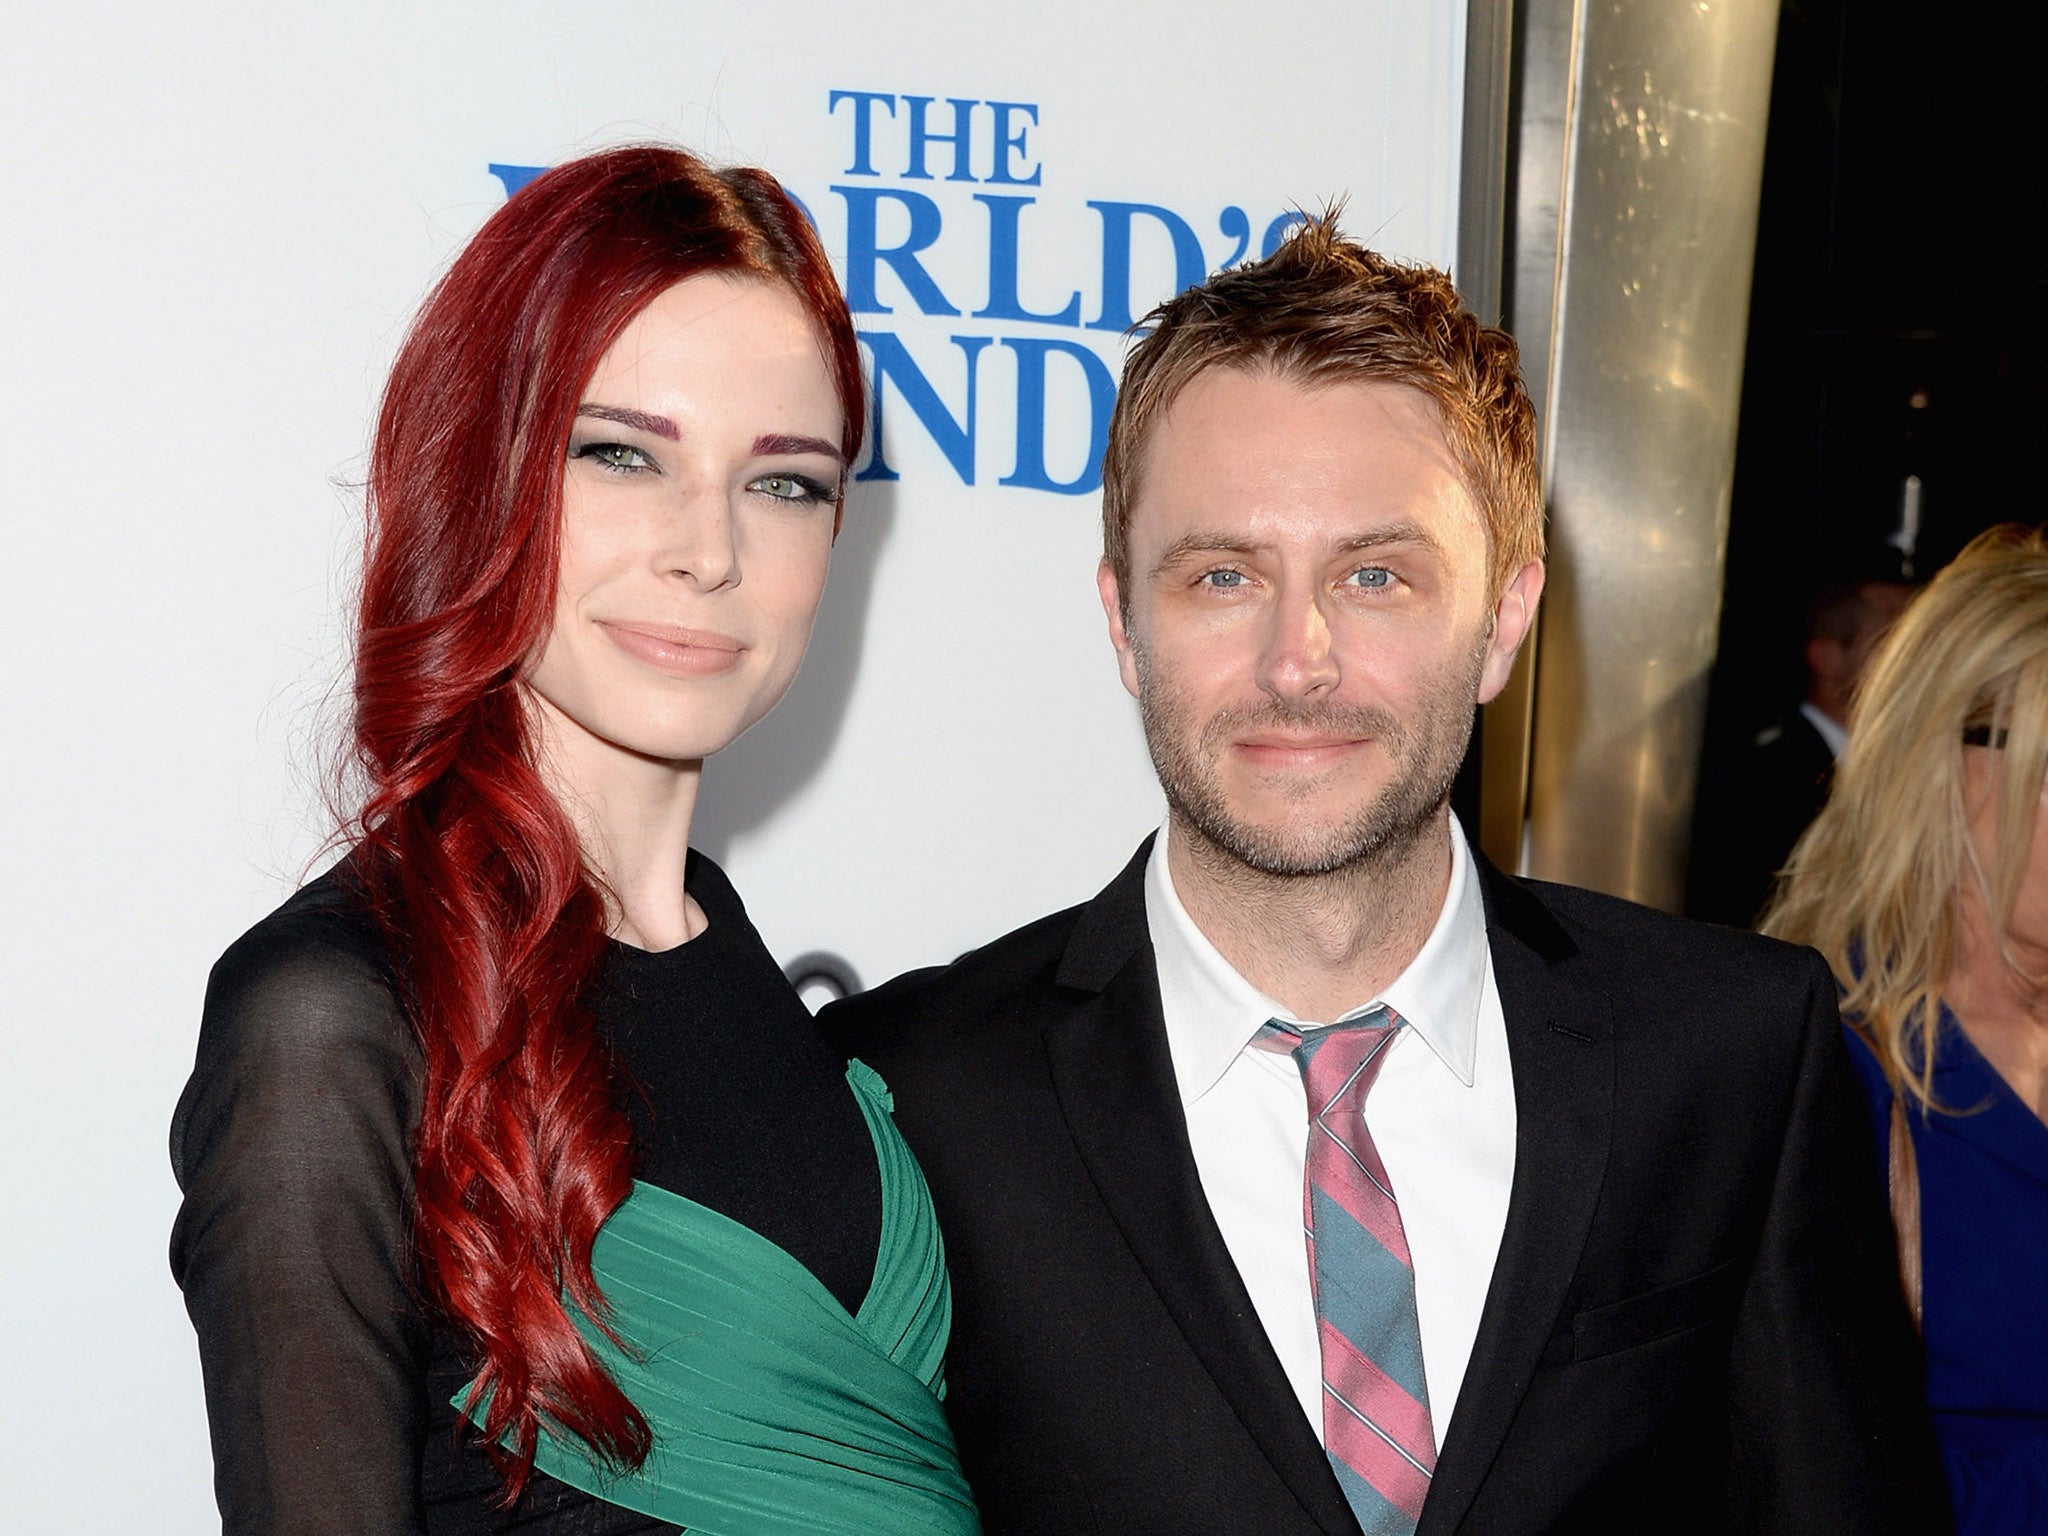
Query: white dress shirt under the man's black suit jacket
x=1443, y=1117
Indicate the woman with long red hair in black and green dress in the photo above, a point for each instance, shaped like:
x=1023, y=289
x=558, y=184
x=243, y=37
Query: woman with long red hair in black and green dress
x=519, y=1189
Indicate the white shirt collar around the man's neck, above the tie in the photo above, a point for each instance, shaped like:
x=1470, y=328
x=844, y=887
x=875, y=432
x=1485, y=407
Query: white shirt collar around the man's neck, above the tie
x=1211, y=1013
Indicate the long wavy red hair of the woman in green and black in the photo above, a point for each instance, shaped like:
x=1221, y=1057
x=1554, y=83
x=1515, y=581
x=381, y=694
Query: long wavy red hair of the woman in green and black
x=466, y=857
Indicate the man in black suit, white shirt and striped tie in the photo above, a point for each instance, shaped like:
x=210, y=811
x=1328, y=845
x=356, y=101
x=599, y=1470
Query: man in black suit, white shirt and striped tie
x=1592, y=1248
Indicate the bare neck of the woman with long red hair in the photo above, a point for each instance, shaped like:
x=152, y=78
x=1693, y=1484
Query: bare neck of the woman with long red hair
x=634, y=820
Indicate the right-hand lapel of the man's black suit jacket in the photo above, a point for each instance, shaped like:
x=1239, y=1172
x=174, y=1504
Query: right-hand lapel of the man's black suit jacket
x=1562, y=1046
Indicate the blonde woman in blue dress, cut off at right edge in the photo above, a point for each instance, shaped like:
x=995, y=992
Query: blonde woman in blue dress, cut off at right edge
x=1926, y=886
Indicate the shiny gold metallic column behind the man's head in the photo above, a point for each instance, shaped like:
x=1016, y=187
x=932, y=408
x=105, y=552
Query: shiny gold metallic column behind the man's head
x=1639, y=155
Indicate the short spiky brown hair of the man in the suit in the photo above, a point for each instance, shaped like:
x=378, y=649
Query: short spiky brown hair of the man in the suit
x=1326, y=310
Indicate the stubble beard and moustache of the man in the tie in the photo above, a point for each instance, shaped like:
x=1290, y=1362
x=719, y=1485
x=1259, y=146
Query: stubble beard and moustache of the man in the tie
x=1424, y=765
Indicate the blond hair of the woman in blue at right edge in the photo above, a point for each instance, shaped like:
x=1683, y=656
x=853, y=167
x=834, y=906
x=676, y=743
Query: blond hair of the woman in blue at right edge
x=1877, y=884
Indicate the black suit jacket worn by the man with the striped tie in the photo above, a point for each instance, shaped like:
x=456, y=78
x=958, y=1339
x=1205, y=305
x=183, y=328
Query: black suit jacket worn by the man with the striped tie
x=1693, y=1322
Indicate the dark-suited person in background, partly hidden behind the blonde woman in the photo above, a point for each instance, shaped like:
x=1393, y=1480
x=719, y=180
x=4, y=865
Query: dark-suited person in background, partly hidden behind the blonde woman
x=1756, y=806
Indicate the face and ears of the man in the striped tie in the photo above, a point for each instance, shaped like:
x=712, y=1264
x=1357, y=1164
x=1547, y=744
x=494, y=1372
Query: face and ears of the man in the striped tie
x=1310, y=617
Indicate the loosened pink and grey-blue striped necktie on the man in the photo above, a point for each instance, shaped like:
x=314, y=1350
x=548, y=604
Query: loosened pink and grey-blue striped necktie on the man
x=1375, y=1404
